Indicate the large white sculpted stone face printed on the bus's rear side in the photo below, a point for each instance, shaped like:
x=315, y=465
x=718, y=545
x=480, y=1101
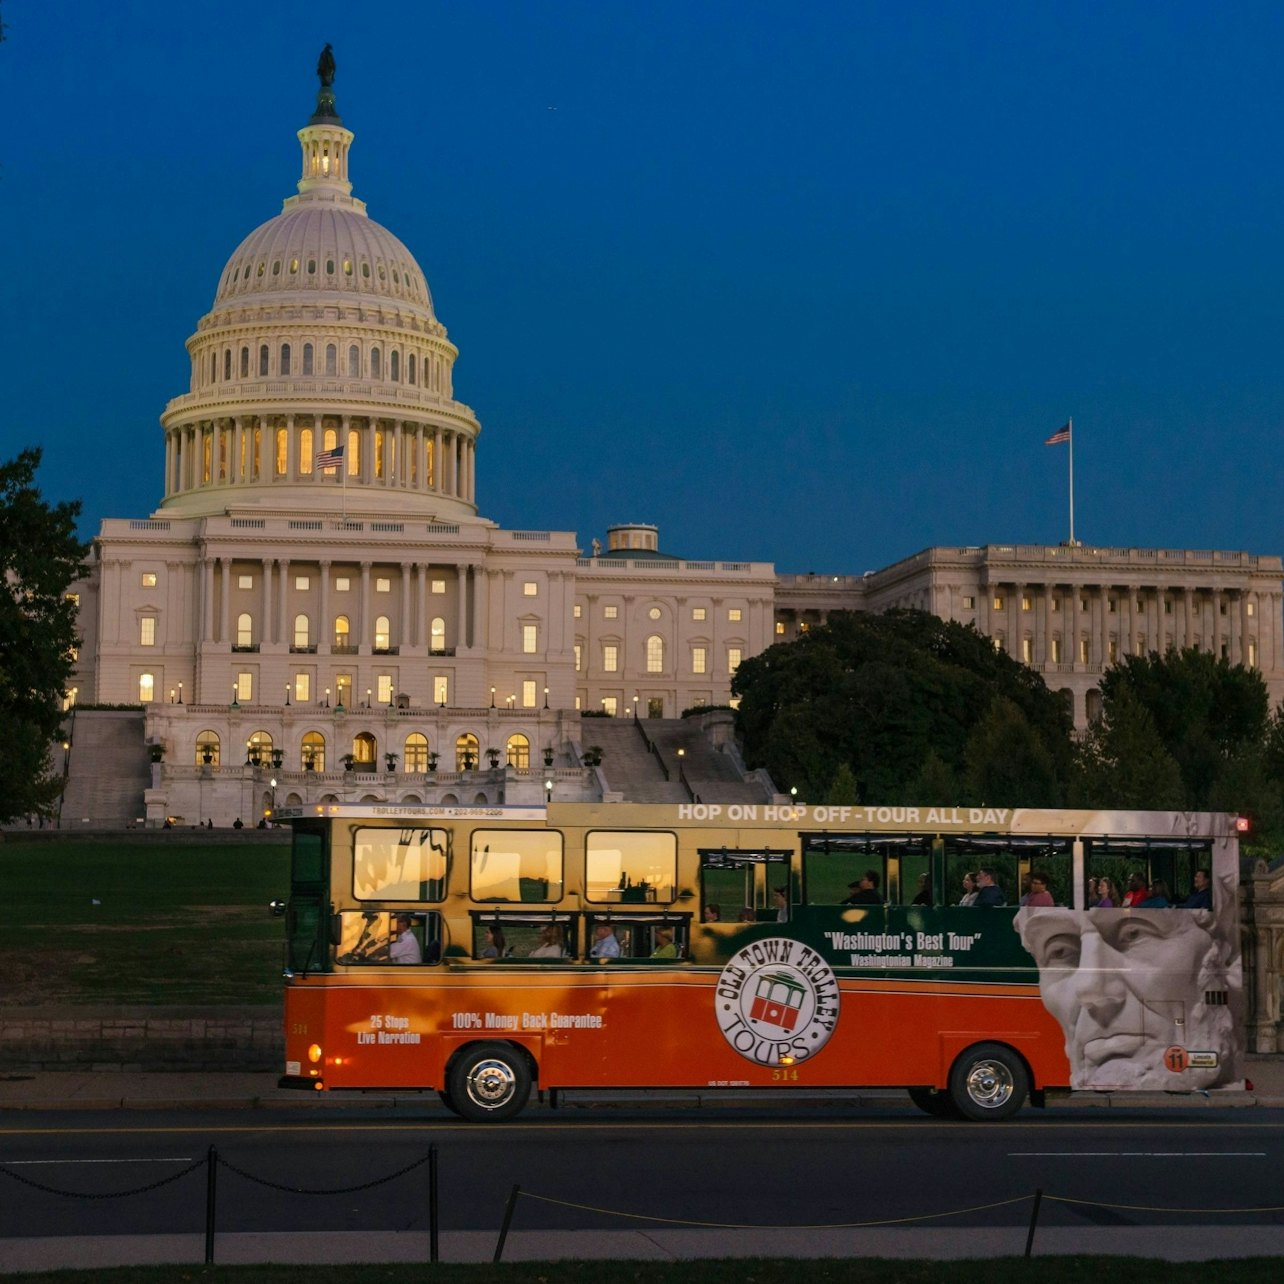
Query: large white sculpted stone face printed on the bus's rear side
x=1143, y=997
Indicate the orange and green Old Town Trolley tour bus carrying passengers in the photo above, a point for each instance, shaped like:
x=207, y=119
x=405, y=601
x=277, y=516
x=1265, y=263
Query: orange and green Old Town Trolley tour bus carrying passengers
x=486, y=952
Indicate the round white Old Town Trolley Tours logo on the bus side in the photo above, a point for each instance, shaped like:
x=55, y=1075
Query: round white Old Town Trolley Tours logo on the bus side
x=777, y=1002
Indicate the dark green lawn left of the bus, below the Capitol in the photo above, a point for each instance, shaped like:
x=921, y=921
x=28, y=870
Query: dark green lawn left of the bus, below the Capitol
x=88, y=923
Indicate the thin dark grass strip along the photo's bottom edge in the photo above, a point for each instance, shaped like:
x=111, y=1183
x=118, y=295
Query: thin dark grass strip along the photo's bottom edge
x=998, y=1271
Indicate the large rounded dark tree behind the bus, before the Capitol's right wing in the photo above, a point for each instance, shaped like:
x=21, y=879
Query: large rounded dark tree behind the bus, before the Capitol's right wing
x=881, y=694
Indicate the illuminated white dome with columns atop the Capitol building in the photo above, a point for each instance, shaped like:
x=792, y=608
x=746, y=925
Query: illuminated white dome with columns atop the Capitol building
x=322, y=365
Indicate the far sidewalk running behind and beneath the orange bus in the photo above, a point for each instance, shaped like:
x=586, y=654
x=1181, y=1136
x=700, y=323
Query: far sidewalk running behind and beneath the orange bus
x=110, y=1089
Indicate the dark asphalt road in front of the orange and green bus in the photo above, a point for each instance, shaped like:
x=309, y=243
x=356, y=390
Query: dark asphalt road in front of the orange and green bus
x=731, y=1167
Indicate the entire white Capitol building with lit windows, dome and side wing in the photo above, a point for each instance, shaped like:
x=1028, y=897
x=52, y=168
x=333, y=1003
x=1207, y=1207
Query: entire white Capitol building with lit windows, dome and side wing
x=319, y=611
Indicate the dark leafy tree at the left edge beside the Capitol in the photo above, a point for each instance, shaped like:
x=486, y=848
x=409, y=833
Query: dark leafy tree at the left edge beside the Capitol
x=40, y=557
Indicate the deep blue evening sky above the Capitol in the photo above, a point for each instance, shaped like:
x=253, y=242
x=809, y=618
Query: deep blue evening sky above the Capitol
x=799, y=284
